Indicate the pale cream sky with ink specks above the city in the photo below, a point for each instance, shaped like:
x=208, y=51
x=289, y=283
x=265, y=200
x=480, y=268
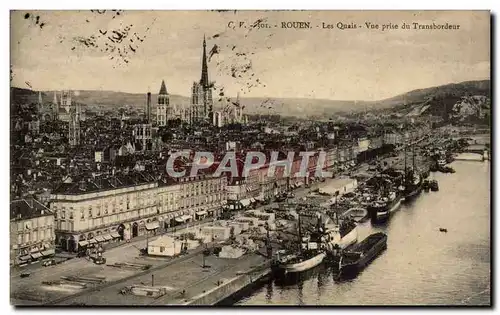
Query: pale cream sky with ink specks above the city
x=55, y=50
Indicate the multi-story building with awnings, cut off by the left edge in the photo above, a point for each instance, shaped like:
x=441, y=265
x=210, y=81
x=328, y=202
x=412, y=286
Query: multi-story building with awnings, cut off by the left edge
x=31, y=231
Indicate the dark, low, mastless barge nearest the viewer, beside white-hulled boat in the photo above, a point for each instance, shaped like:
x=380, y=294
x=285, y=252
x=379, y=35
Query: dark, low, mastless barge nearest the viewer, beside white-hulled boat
x=360, y=255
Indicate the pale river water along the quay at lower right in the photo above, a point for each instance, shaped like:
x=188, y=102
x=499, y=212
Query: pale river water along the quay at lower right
x=421, y=265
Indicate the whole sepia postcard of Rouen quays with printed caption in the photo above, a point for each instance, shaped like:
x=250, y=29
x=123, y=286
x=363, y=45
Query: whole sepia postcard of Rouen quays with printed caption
x=240, y=158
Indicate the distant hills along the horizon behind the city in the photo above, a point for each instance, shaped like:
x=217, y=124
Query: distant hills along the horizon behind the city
x=438, y=100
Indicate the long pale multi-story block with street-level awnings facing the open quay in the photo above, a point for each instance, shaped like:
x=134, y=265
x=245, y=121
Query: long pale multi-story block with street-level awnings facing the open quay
x=122, y=207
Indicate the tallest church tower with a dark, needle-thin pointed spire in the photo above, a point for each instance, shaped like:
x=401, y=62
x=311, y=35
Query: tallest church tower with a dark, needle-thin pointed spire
x=201, y=93
